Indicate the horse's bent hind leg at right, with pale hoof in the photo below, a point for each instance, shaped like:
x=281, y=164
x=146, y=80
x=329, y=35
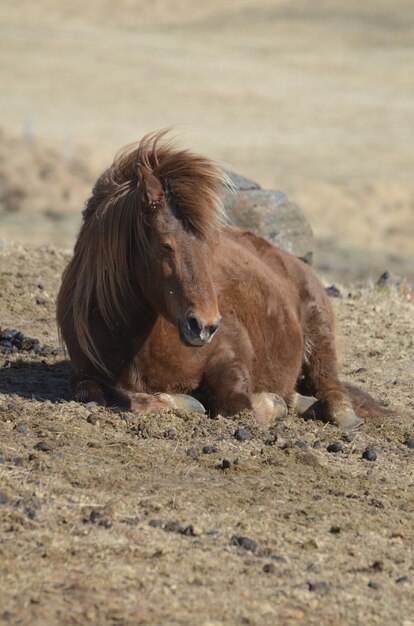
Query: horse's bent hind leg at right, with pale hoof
x=321, y=370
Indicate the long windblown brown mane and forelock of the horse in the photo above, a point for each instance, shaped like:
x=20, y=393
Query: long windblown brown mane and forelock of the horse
x=99, y=274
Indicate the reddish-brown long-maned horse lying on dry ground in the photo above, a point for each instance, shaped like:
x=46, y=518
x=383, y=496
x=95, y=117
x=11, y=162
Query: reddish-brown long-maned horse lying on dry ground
x=164, y=306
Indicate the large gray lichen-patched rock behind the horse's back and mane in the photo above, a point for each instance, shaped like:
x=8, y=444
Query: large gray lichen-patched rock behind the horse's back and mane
x=271, y=215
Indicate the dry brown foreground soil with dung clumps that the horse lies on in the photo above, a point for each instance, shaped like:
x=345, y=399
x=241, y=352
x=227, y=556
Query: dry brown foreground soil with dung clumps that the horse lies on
x=122, y=519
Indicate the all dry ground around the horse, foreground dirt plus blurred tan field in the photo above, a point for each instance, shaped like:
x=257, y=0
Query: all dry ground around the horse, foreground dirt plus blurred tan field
x=119, y=519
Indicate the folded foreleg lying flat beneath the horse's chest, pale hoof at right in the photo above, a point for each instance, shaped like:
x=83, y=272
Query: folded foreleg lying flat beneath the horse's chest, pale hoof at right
x=108, y=395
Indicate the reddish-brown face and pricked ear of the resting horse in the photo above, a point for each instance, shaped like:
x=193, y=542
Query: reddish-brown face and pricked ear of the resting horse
x=177, y=274
